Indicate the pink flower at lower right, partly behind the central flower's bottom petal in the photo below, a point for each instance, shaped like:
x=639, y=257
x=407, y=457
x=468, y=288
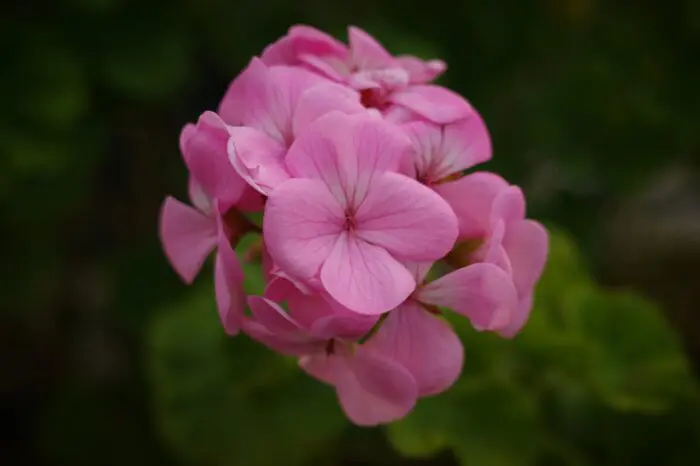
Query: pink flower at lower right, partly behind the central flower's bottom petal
x=414, y=336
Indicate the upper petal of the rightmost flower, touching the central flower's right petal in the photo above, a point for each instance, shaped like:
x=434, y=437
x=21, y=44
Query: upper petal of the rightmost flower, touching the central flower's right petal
x=471, y=197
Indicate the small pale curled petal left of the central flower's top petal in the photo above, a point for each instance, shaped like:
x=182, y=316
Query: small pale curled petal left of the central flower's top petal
x=257, y=158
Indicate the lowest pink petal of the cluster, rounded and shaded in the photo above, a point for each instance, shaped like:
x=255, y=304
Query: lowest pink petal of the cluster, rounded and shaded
x=374, y=389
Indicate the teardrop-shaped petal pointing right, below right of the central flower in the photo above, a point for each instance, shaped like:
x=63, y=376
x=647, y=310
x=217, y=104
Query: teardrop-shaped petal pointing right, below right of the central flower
x=482, y=292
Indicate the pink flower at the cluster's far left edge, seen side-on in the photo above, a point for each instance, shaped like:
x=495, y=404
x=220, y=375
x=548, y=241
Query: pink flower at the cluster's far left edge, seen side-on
x=190, y=234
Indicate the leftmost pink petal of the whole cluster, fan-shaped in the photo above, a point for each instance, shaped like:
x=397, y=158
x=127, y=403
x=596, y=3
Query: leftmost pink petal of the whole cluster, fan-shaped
x=188, y=237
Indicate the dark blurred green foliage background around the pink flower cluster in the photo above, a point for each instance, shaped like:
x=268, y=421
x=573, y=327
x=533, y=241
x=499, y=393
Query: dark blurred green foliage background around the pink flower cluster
x=109, y=360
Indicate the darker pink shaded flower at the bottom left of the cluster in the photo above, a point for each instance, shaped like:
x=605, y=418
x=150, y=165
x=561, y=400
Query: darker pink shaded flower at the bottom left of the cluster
x=372, y=388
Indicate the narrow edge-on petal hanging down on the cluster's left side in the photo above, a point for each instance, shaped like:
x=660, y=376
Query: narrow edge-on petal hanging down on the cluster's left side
x=228, y=286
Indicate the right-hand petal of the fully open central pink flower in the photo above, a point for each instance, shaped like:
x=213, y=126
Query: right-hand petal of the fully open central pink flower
x=407, y=218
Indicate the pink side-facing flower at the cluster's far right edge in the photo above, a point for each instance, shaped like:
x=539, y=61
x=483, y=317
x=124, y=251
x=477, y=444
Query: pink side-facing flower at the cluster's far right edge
x=492, y=213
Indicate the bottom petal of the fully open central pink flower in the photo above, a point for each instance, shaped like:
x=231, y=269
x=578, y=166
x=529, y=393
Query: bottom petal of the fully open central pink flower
x=364, y=277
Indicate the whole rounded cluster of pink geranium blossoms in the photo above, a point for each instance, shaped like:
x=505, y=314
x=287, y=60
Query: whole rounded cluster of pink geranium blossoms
x=357, y=165
